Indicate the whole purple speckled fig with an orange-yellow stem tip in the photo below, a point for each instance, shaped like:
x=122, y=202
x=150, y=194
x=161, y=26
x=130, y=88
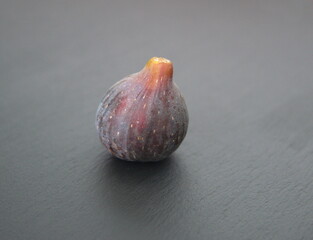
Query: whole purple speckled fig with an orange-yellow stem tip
x=143, y=117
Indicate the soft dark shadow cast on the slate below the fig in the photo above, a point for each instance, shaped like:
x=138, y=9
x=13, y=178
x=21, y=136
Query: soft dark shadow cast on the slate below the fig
x=136, y=191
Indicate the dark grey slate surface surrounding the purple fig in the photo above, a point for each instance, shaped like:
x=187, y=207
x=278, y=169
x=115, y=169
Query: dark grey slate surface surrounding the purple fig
x=245, y=169
